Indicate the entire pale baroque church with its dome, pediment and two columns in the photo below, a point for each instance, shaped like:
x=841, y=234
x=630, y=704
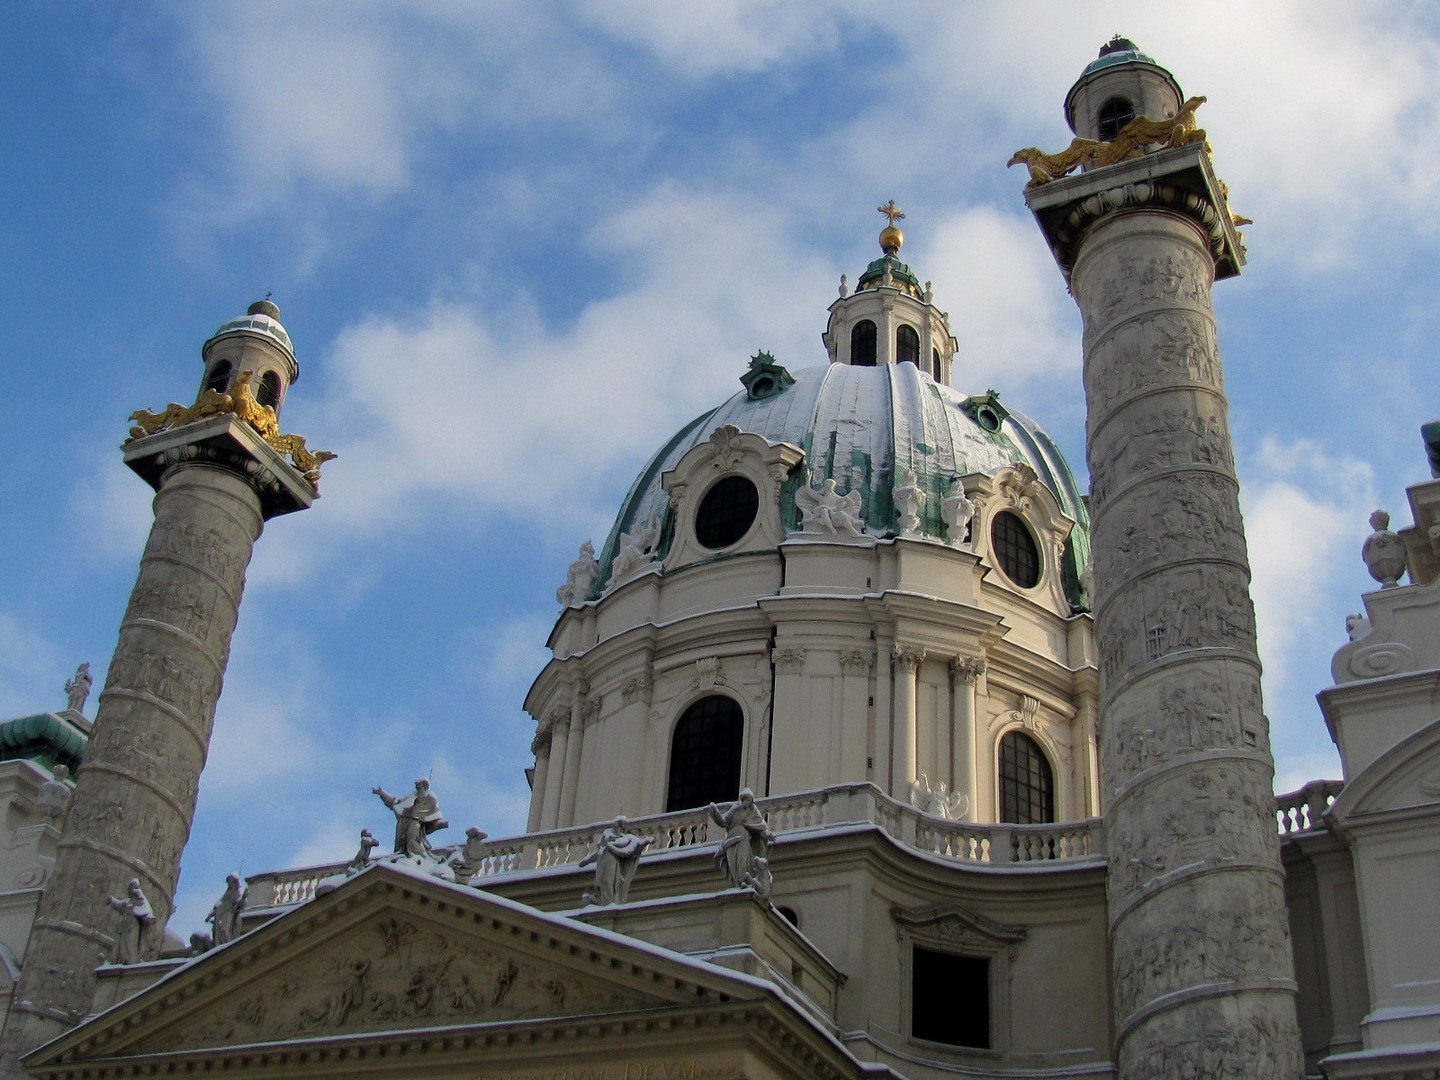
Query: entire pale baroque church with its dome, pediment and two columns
x=937, y=761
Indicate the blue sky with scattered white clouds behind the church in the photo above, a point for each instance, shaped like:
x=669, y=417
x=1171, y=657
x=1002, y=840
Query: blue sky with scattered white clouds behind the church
x=518, y=246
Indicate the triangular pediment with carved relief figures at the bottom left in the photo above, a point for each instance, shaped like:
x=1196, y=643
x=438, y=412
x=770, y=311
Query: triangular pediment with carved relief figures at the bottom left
x=391, y=951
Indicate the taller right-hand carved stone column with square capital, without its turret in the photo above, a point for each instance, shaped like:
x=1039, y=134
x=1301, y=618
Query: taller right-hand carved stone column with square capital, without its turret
x=1205, y=980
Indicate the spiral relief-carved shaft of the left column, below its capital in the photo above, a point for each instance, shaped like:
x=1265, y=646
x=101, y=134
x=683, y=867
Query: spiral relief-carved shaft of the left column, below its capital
x=136, y=793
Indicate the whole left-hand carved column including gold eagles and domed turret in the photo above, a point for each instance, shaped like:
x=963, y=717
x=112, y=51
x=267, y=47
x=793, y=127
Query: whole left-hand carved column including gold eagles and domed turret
x=218, y=476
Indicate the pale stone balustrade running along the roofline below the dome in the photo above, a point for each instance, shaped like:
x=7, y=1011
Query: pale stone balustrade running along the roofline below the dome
x=849, y=804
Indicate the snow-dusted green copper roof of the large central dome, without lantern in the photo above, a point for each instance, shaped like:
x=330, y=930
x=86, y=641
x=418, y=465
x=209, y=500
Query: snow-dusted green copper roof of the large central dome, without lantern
x=863, y=427
